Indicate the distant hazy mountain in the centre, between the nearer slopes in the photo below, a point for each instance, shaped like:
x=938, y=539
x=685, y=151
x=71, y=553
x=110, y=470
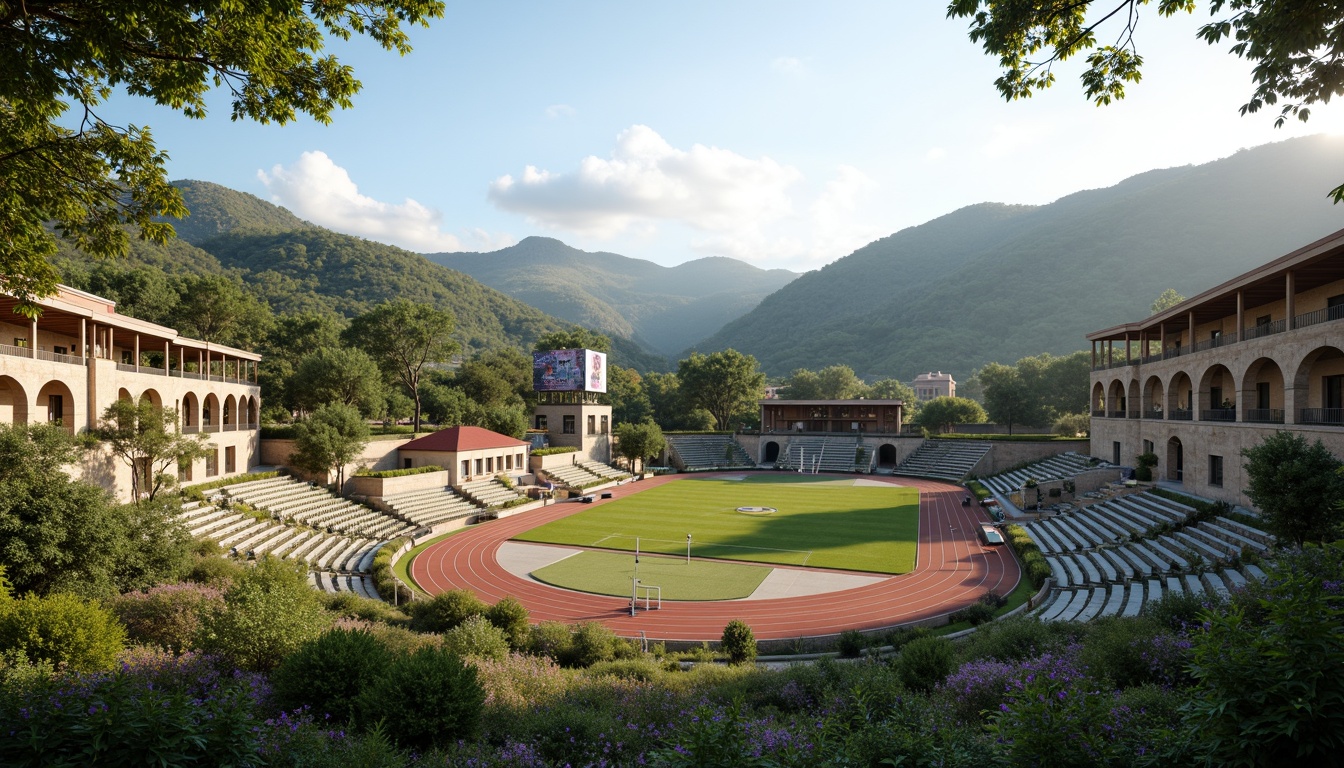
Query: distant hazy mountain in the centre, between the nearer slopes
x=666, y=309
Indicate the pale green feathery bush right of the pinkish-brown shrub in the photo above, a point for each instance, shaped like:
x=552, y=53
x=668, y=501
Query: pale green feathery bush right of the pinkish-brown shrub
x=269, y=613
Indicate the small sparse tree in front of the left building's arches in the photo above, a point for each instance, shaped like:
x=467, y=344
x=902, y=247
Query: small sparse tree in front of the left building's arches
x=144, y=436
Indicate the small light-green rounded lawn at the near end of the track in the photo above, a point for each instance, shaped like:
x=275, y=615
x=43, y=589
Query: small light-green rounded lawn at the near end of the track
x=611, y=574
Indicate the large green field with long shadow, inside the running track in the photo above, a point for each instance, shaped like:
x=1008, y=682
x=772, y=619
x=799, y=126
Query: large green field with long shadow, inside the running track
x=821, y=523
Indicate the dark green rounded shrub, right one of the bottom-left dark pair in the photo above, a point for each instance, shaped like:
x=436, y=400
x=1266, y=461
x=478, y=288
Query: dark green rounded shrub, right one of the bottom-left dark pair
x=429, y=699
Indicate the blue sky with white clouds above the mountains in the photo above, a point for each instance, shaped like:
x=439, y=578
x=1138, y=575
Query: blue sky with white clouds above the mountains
x=783, y=134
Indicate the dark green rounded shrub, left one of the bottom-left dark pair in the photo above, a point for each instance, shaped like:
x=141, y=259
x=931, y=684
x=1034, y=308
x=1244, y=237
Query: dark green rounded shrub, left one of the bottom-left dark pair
x=330, y=673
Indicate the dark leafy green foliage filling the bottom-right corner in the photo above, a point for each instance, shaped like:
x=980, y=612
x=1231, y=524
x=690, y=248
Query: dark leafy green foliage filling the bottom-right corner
x=1268, y=687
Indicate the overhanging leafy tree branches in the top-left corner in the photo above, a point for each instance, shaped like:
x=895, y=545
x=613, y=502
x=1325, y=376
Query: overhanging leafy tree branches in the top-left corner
x=91, y=178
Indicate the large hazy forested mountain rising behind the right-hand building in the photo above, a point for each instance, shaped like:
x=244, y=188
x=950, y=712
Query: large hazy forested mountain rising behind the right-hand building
x=995, y=283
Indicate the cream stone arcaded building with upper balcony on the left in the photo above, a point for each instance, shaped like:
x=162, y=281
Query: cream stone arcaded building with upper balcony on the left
x=80, y=356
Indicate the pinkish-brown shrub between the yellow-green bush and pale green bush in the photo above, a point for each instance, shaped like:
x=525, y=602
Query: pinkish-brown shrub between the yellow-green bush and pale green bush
x=167, y=617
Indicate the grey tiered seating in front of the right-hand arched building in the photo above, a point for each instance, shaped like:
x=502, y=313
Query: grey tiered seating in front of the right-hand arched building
x=1099, y=576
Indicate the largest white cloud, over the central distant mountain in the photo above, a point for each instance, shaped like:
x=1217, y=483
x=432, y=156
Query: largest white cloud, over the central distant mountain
x=648, y=180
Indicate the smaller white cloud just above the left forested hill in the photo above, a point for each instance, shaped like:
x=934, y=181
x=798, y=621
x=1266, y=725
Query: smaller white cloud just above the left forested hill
x=319, y=190
